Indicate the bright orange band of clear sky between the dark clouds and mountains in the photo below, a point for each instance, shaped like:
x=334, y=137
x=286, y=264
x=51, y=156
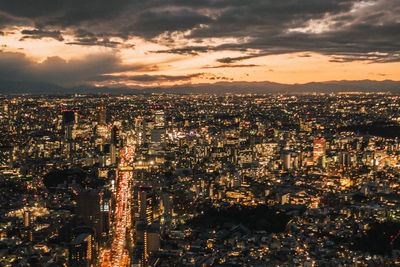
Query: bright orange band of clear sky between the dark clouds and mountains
x=285, y=68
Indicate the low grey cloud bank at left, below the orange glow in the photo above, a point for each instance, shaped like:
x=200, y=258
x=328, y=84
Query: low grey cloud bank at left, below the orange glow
x=17, y=67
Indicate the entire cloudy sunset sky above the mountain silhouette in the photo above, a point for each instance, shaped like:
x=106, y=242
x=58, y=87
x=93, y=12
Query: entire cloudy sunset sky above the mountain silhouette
x=170, y=42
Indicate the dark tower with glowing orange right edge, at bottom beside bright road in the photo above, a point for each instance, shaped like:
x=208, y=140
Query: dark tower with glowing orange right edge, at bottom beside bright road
x=80, y=251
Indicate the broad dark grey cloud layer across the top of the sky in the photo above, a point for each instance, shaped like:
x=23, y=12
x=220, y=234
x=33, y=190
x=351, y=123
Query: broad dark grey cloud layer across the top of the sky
x=346, y=30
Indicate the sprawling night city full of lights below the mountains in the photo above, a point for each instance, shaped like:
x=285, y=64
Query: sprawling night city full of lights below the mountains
x=145, y=180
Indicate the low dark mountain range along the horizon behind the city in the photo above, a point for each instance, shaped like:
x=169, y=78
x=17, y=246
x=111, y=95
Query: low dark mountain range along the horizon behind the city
x=13, y=87
